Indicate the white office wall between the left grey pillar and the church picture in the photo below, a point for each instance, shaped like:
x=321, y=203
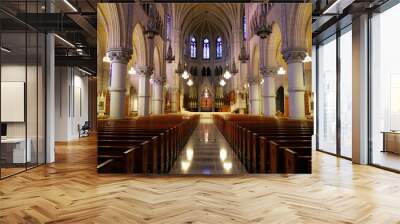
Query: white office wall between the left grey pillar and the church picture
x=71, y=103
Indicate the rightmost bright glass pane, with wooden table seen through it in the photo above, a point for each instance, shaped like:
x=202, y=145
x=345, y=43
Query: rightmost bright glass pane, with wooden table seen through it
x=385, y=89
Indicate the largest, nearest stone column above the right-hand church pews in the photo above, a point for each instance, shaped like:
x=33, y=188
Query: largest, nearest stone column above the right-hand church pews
x=294, y=58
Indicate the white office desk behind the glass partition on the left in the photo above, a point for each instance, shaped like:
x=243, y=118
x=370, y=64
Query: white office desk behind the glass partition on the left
x=16, y=148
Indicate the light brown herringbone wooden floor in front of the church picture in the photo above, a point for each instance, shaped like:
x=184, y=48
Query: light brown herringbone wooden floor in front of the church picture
x=70, y=191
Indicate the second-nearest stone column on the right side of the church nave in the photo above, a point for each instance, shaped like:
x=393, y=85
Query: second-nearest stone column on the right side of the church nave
x=269, y=91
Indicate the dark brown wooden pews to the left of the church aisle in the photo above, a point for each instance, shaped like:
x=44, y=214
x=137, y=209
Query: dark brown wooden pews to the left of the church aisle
x=146, y=145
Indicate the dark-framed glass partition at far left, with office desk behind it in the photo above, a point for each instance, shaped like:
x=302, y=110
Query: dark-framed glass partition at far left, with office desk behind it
x=22, y=89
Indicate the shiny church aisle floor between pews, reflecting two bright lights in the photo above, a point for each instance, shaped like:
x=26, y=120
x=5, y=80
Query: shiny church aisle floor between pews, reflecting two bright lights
x=207, y=152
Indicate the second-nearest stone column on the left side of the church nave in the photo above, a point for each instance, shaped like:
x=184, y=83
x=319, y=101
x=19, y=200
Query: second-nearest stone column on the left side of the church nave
x=143, y=73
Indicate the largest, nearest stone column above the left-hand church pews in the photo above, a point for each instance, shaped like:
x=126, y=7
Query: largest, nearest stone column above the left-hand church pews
x=119, y=60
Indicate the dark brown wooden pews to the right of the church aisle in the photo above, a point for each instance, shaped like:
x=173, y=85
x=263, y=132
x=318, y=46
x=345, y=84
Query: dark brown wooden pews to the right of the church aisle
x=268, y=145
